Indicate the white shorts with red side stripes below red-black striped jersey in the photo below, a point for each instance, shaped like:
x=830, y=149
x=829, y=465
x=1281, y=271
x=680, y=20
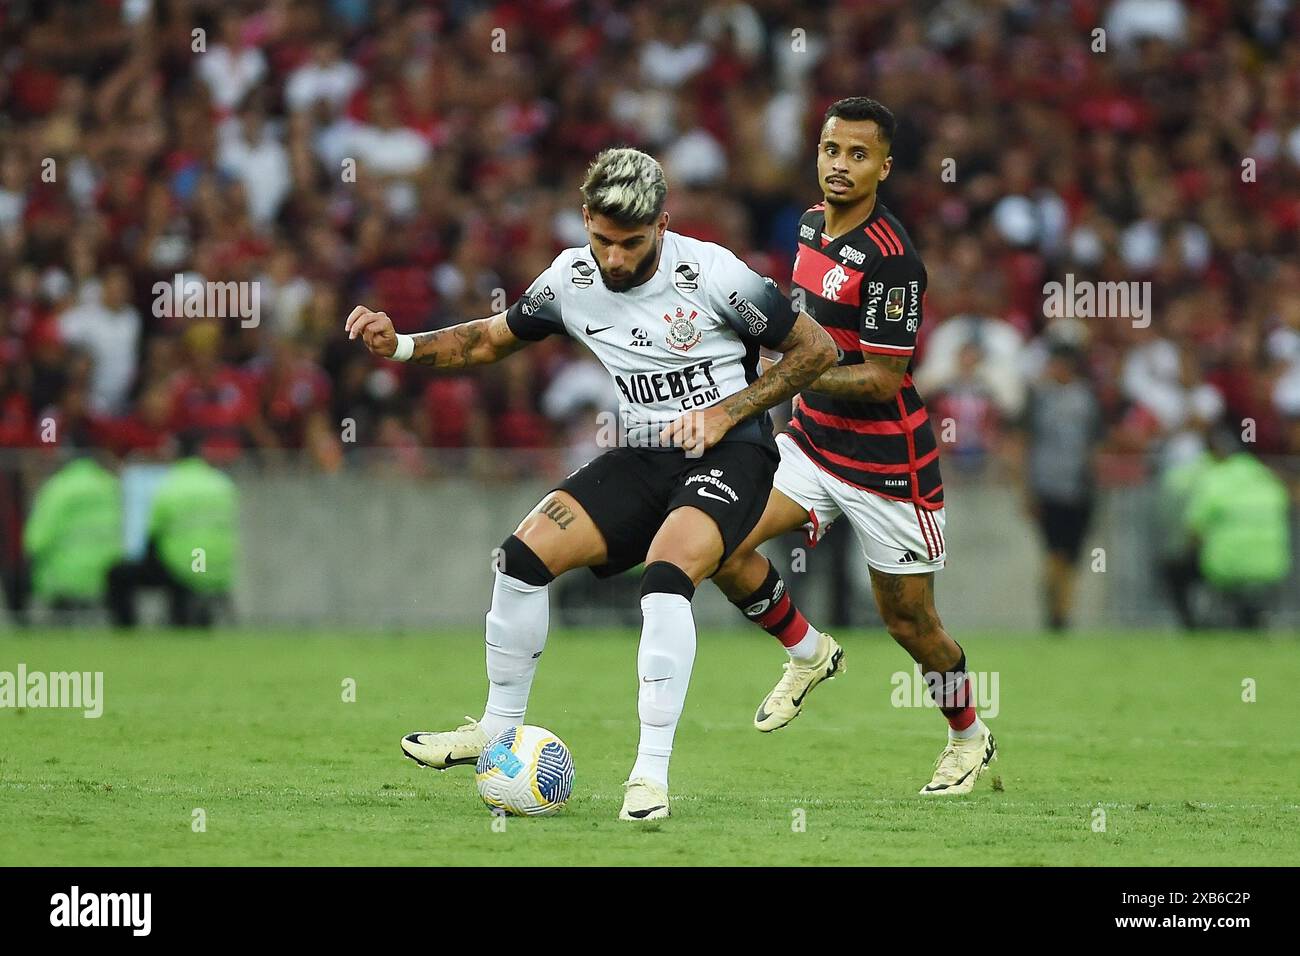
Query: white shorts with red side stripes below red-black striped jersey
x=896, y=537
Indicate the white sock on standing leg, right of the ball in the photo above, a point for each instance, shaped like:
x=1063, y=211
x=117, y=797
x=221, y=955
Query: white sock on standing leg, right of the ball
x=665, y=660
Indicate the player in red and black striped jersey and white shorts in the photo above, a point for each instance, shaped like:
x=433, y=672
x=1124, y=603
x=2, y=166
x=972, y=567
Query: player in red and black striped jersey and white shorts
x=861, y=445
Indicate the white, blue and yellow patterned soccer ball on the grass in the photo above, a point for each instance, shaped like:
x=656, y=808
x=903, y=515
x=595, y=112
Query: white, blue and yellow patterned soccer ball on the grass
x=526, y=772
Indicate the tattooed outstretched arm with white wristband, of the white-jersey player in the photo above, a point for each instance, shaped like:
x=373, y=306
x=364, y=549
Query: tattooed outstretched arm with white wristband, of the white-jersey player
x=476, y=343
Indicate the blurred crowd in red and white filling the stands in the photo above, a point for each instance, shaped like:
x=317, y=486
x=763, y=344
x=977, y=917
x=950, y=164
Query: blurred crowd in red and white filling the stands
x=424, y=159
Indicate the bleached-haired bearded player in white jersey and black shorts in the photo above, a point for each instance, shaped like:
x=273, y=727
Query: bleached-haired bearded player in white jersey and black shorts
x=678, y=323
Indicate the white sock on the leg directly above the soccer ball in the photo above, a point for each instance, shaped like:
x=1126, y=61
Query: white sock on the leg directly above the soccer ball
x=517, y=634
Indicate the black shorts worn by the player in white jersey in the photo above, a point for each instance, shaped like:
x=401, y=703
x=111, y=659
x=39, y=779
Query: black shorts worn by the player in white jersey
x=629, y=494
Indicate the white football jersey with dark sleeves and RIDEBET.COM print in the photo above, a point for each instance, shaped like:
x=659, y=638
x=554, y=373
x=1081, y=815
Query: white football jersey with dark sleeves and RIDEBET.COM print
x=686, y=339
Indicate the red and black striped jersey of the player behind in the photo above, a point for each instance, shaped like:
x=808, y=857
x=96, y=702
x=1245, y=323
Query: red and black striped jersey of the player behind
x=868, y=289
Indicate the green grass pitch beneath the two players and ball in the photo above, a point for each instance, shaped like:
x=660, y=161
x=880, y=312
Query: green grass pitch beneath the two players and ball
x=253, y=729
